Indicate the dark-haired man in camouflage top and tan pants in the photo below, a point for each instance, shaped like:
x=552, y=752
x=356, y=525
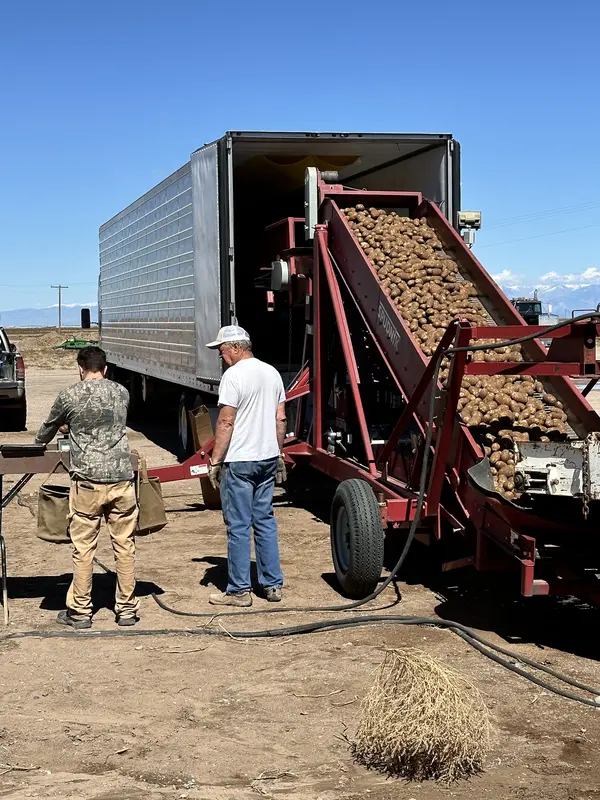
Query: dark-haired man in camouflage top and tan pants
x=95, y=411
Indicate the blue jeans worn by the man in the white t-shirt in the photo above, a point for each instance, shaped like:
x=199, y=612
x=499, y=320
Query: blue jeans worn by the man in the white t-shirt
x=247, y=499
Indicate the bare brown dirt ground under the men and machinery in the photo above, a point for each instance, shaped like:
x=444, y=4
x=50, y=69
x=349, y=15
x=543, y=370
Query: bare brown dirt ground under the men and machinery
x=193, y=716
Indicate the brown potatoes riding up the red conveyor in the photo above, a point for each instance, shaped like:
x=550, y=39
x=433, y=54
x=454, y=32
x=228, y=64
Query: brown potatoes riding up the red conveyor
x=423, y=280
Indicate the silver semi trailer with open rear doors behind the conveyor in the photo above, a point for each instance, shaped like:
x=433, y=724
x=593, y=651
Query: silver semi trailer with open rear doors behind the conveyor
x=183, y=259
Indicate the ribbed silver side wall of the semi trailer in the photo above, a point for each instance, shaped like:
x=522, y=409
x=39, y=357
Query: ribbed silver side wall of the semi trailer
x=150, y=258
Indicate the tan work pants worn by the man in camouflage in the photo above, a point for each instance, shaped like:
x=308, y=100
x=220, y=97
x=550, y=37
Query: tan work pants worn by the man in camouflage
x=88, y=503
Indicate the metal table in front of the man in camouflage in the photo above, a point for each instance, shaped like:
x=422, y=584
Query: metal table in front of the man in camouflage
x=26, y=460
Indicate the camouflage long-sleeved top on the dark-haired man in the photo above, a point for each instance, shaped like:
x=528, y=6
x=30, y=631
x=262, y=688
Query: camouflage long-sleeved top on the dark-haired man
x=96, y=413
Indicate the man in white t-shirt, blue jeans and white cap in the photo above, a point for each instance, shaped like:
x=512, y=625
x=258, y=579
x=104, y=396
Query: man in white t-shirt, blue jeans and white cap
x=245, y=463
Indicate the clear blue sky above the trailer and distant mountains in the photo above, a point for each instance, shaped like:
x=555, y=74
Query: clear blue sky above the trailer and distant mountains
x=99, y=101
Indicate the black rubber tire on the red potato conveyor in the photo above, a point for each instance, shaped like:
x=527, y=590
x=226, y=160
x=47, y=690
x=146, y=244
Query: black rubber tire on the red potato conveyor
x=356, y=538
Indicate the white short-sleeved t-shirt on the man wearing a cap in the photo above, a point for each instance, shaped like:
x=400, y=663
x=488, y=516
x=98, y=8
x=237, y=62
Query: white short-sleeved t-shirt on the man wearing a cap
x=255, y=389
